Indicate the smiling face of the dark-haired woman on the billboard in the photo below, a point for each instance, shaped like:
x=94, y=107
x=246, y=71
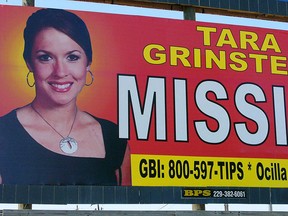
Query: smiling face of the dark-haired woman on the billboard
x=59, y=65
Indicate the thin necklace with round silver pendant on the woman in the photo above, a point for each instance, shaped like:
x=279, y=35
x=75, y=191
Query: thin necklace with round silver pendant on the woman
x=67, y=144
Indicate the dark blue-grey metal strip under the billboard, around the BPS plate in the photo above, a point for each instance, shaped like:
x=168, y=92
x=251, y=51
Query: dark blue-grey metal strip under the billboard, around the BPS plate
x=126, y=195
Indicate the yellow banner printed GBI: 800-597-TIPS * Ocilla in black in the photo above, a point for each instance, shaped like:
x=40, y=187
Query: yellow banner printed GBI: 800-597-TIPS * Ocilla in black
x=157, y=170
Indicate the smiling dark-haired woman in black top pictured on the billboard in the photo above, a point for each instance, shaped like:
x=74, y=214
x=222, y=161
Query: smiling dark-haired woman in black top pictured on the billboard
x=50, y=140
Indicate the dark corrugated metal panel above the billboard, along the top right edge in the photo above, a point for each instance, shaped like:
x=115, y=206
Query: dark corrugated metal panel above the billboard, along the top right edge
x=263, y=9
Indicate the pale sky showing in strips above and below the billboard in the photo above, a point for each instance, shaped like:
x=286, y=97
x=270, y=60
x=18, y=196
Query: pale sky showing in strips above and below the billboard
x=108, y=8
